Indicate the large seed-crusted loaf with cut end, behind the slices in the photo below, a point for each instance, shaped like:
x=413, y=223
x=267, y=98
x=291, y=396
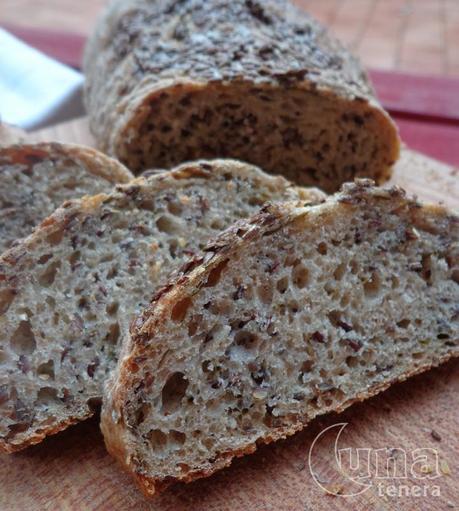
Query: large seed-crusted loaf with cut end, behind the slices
x=169, y=81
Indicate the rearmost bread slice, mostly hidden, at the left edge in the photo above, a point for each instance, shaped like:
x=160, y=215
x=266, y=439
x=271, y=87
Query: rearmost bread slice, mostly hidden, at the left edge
x=37, y=178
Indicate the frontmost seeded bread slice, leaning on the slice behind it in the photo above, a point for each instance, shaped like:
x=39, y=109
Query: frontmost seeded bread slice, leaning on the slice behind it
x=295, y=313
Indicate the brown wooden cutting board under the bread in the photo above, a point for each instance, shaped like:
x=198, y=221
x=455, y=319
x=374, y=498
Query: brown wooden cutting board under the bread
x=420, y=417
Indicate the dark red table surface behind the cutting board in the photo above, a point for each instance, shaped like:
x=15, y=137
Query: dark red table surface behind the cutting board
x=426, y=108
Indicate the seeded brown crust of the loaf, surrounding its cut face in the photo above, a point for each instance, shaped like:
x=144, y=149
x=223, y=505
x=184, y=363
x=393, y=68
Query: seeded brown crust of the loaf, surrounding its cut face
x=142, y=51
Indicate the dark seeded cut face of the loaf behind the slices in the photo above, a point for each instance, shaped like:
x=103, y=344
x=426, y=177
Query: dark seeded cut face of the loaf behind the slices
x=312, y=137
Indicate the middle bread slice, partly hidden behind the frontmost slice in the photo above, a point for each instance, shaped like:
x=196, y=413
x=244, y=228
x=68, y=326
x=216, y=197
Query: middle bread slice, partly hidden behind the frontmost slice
x=69, y=291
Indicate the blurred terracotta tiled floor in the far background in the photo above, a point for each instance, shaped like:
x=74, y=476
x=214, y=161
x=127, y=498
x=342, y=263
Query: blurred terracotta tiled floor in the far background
x=405, y=35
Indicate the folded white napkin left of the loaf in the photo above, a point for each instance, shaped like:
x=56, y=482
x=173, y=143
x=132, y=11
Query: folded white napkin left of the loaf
x=35, y=90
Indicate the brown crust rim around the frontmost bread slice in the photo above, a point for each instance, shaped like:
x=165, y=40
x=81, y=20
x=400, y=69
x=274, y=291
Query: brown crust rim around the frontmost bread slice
x=119, y=439
